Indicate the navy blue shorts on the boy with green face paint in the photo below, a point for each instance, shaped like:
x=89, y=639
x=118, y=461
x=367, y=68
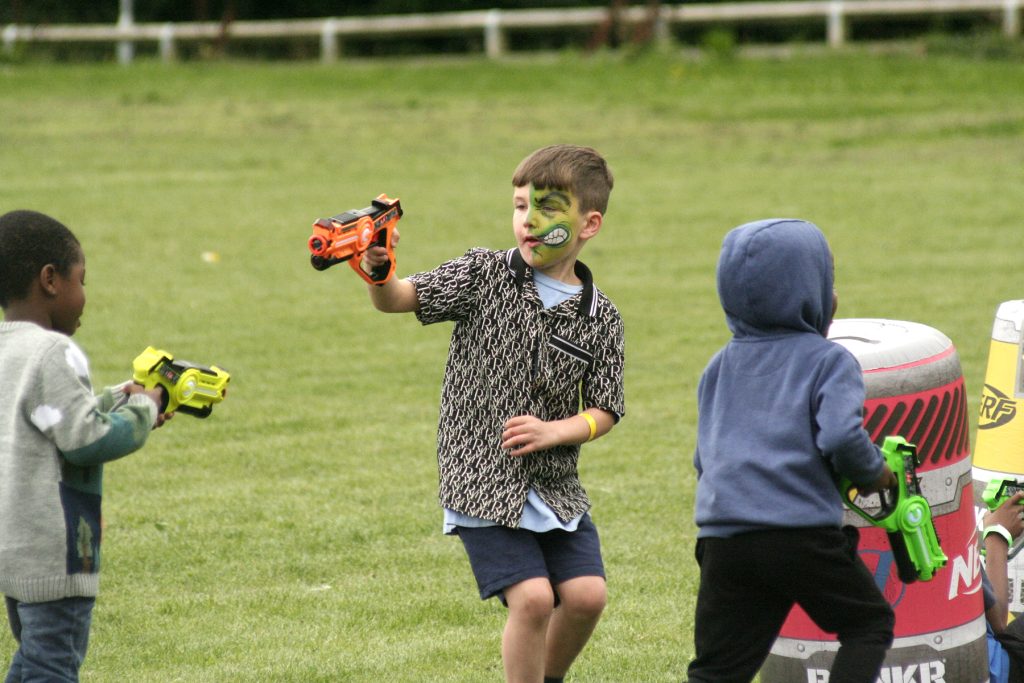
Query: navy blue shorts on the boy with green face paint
x=501, y=557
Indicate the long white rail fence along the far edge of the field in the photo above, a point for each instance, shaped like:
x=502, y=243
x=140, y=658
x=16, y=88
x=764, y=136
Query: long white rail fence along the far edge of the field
x=495, y=24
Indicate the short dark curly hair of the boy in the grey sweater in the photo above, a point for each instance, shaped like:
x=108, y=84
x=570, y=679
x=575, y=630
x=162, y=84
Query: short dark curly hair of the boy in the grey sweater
x=30, y=241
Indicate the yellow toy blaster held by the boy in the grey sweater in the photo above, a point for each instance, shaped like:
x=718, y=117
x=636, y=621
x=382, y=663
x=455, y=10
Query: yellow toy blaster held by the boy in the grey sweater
x=188, y=388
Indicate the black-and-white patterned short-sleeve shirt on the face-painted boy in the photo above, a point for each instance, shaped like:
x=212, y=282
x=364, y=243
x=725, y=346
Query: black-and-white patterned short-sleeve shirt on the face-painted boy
x=510, y=357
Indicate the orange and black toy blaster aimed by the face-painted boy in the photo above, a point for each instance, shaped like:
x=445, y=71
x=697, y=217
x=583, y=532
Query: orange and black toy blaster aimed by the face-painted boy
x=349, y=236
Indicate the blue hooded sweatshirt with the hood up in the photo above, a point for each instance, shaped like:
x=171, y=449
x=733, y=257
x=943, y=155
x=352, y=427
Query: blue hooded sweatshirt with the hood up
x=780, y=406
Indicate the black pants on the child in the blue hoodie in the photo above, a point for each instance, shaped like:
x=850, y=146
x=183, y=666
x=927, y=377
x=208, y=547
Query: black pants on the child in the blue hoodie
x=749, y=583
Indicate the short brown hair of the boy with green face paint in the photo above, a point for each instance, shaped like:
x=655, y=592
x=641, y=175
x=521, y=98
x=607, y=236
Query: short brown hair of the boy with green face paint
x=580, y=170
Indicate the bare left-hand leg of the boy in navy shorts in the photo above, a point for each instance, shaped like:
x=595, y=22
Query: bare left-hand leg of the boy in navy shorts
x=531, y=604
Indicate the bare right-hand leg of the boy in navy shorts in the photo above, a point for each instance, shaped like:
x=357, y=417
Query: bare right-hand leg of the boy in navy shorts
x=581, y=603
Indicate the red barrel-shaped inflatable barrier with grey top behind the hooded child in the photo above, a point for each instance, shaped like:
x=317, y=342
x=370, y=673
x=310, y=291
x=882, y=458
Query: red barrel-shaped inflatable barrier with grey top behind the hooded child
x=915, y=390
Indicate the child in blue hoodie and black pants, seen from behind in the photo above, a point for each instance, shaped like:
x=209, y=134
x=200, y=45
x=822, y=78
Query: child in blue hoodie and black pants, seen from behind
x=780, y=418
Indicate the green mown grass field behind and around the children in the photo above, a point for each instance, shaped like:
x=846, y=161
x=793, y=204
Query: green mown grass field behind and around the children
x=295, y=535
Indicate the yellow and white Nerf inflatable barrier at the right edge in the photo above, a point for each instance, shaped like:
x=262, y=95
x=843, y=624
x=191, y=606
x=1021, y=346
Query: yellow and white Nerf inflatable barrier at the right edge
x=1000, y=440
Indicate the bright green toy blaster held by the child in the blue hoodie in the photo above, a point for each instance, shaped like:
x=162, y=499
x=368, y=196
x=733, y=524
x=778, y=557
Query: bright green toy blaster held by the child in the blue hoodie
x=904, y=514
